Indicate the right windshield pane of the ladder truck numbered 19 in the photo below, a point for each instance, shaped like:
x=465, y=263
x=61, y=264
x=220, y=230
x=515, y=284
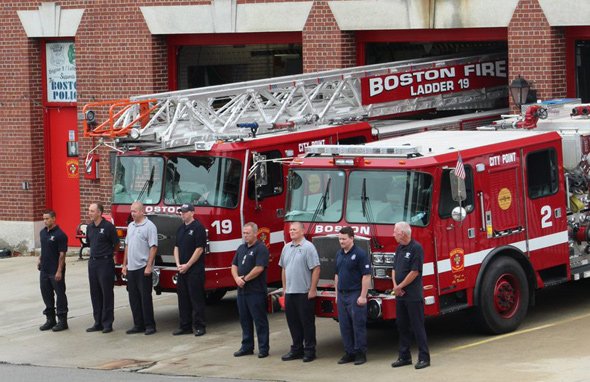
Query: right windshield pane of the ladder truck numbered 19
x=202, y=181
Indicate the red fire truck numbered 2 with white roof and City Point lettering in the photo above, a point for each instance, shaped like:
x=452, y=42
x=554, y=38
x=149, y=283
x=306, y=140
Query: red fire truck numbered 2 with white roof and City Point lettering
x=518, y=221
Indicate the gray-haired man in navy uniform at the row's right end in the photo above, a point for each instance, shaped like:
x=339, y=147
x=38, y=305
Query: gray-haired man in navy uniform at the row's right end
x=409, y=296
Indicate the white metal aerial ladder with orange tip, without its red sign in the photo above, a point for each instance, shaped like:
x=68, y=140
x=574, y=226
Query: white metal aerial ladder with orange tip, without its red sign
x=199, y=117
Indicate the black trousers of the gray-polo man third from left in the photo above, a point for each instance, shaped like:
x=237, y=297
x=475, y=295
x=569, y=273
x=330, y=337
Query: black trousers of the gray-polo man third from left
x=139, y=287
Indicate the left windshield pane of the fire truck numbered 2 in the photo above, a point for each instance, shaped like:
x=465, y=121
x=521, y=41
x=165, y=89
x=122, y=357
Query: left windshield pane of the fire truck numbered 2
x=315, y=195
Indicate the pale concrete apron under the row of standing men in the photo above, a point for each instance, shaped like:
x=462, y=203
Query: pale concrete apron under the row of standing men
x=524, y=356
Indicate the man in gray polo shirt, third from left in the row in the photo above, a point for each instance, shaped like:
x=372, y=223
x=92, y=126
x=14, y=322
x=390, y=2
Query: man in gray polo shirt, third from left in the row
x=140, y=252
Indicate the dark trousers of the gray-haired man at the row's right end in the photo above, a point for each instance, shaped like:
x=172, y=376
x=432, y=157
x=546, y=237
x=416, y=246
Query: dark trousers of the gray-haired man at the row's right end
x=410, y=314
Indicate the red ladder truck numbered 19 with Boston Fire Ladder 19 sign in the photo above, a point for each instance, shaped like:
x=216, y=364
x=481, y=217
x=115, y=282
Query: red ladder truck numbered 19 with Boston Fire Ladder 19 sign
x=222, y=147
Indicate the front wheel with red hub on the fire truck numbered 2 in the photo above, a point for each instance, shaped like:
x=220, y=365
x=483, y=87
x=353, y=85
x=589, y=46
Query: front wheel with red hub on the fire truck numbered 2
x=503, y=296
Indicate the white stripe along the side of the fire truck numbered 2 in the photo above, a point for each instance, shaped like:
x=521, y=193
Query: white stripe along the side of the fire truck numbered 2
x=476, y=258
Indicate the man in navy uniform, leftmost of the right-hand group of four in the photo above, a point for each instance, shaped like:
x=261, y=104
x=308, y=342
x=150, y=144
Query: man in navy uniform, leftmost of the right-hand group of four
x=249, y=272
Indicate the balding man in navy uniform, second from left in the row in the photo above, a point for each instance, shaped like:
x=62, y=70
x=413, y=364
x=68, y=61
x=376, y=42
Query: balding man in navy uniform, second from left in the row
x=102, y=239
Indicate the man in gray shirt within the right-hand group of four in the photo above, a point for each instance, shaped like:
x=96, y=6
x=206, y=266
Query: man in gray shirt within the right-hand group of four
x=301, y=273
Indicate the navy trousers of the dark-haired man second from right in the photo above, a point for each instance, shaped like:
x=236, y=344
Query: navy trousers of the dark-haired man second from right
x=353, y=322
